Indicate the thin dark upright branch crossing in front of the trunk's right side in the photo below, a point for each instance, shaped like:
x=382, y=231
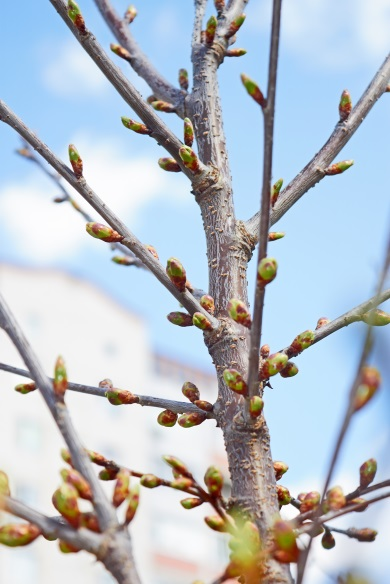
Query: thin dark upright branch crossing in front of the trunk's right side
x=269, y=115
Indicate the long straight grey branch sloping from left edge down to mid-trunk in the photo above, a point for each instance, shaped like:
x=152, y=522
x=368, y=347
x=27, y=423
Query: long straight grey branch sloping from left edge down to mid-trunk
x=129, y=241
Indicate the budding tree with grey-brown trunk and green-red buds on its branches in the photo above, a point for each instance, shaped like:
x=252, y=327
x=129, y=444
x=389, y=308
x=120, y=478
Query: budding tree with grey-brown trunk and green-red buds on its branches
x=262, y=547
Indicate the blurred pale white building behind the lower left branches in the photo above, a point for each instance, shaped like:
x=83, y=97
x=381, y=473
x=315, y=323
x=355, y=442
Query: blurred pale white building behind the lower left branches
x=98, y=338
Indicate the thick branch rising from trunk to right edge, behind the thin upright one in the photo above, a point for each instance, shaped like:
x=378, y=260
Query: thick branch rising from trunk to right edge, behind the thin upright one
x=314, y=170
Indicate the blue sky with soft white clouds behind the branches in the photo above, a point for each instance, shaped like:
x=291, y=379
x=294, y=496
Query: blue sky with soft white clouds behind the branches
x=330, y=257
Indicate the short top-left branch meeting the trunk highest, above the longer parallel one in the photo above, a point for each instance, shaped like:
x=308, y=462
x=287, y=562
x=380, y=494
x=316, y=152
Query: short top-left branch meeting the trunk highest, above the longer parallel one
x=160, y=87
